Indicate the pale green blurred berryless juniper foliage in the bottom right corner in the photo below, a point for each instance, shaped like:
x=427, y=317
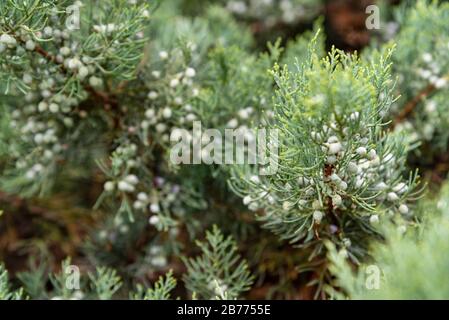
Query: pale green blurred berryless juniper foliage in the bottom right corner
x=411, y=266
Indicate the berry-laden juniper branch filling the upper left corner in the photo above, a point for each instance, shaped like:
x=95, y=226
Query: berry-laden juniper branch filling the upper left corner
x=52, y=67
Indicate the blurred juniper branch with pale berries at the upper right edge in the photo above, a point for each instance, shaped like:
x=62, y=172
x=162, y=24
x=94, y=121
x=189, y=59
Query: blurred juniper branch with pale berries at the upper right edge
x=421, y=66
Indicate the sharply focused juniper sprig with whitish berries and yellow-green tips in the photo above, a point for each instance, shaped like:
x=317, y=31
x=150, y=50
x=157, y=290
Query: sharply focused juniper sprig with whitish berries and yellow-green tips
x=340, y=173
